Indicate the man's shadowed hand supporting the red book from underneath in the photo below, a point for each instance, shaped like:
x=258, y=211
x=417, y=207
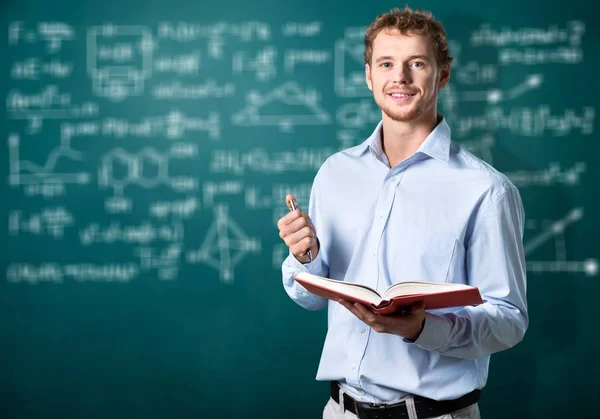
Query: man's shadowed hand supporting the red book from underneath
x=408, y=325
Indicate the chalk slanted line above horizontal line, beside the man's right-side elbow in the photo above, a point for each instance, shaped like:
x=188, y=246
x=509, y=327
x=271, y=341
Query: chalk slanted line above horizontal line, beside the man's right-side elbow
x=555, y=231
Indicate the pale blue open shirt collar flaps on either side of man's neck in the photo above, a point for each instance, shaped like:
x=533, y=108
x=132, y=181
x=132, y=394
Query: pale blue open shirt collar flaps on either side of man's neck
x=436, y=145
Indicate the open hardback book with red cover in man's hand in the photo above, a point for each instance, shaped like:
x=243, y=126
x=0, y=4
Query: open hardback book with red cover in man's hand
x=397, y=297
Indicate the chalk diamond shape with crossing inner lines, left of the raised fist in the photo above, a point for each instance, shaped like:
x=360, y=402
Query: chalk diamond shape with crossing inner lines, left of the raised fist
x=224, y=246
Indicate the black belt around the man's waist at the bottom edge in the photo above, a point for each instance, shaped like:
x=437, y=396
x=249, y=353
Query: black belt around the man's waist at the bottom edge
x=426, y=408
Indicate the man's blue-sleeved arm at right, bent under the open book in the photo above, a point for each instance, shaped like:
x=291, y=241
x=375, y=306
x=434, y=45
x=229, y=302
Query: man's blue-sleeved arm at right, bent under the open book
x=496, y=265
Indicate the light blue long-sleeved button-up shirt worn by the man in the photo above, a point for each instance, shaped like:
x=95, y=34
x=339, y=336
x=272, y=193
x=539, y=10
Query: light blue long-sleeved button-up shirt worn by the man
x=441, y=215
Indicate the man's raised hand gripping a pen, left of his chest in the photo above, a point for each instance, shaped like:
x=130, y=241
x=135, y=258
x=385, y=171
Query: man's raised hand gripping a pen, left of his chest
x=298, y=232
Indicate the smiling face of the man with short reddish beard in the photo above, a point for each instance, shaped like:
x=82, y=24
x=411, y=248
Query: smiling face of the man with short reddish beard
x=404, y=76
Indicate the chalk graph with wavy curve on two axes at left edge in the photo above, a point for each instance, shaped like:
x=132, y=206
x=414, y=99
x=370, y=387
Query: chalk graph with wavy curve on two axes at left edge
x=24, y=172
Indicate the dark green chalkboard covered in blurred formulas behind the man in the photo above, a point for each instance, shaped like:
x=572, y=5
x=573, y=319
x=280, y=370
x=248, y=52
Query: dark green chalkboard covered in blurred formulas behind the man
x=148, y=149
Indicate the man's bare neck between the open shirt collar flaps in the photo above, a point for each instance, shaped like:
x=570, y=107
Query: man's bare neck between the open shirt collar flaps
x=402, y=139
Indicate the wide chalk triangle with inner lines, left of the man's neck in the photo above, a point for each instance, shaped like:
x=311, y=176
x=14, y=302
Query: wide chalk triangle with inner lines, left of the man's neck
x=302, y=107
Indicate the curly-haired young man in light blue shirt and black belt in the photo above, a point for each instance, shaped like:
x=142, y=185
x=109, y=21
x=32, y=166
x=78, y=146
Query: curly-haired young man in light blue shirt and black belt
x=410, y=204
